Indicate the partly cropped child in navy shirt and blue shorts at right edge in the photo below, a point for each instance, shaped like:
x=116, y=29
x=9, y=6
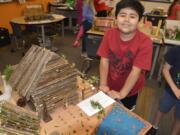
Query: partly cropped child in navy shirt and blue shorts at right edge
x=171, y=95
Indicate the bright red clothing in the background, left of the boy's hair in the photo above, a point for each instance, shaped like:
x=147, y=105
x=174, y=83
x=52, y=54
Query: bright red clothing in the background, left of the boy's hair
x=100, y=7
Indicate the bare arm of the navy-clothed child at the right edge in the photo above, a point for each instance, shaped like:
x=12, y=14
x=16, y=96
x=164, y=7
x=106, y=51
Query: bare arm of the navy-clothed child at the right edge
x=169, y=80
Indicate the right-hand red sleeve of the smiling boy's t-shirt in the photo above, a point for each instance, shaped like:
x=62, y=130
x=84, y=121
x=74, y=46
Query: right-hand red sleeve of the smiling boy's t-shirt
x=143, y=58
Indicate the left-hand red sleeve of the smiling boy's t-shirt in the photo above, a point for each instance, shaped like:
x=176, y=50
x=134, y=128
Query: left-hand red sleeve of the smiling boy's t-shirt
x=103, y=50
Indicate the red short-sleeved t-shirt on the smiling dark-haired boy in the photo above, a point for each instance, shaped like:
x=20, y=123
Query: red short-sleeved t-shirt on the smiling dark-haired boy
x=123, y=55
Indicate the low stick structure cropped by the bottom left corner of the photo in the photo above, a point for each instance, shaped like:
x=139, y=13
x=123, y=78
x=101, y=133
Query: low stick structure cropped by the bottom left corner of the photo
x=15, y=120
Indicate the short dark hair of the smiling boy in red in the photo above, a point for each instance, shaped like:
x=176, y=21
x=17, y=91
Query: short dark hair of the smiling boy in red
x=133, y=4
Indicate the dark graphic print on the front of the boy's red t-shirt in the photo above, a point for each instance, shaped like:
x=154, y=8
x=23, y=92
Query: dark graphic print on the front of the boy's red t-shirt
x=120, y=65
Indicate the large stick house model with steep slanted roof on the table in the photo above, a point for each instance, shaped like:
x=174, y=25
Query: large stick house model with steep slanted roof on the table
x=44, y=77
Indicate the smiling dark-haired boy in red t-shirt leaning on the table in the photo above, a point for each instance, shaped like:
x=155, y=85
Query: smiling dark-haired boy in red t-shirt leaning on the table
x=125, y=55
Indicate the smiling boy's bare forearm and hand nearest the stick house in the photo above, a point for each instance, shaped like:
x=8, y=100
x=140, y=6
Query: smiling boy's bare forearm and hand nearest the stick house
x=104, y=69
